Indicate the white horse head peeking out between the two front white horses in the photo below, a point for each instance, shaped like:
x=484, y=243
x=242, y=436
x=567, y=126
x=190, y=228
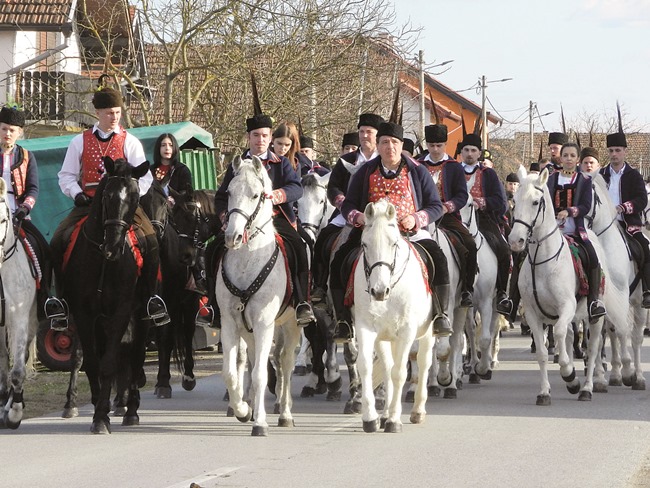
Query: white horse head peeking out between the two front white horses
x=314, y=209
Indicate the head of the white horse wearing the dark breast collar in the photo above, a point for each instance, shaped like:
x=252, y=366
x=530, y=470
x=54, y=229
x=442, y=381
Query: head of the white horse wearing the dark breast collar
x=249, y=204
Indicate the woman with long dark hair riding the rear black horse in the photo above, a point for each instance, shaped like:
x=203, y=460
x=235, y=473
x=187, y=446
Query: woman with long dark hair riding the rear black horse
x=170, y=172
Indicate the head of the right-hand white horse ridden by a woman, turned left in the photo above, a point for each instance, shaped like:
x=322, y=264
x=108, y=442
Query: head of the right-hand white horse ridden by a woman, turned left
x=533, y=212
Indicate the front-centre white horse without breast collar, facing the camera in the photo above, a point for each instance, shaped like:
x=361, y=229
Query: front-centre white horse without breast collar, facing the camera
x=392, y=308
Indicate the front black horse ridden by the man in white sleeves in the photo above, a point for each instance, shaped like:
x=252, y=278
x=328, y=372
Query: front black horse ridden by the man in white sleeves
x=103, y=288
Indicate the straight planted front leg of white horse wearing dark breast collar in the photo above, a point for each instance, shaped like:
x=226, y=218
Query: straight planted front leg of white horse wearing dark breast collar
x=263, y=340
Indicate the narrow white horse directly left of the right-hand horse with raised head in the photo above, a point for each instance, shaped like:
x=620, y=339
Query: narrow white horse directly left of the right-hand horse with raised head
x=484, y=301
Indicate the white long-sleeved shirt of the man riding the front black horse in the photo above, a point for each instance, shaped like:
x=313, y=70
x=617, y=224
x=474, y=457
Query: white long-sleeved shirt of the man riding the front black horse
x=70, y=174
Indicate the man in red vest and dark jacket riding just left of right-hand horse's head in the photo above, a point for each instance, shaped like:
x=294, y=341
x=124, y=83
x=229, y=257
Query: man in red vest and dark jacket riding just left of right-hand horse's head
x=490, y=202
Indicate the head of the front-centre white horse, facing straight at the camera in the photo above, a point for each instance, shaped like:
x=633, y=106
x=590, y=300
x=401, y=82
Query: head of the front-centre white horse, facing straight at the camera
x=379, y=241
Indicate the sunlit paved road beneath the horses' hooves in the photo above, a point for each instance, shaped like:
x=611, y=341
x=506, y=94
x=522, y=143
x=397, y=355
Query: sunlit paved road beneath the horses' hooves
x=493, y=435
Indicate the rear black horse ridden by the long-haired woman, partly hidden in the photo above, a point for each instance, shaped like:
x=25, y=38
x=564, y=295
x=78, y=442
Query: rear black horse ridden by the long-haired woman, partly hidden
x=176, y=338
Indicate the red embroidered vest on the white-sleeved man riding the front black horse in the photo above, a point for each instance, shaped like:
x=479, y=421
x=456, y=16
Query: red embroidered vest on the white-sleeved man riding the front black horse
x=92, y=166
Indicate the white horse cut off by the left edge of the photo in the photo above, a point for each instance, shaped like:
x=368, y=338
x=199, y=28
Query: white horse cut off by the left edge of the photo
x=18, y=316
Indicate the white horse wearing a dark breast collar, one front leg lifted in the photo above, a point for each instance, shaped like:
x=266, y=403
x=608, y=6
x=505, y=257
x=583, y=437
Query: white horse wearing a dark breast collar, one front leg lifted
x=250, y=289
